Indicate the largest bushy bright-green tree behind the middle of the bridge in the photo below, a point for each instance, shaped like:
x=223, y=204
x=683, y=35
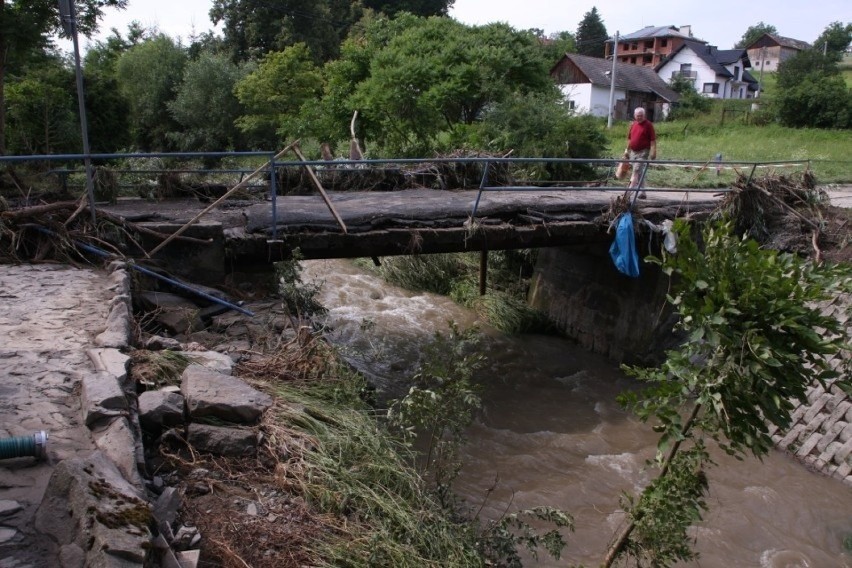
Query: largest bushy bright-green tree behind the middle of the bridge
x=430, y=75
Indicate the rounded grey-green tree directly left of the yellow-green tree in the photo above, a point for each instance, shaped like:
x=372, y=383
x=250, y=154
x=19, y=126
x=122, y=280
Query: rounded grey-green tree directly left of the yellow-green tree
x=208, y=84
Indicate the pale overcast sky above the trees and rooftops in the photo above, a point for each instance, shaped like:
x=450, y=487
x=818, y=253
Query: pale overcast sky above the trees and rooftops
x=719, y=22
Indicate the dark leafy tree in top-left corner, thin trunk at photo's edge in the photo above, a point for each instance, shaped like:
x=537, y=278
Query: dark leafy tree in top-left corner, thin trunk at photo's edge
x=25, y=27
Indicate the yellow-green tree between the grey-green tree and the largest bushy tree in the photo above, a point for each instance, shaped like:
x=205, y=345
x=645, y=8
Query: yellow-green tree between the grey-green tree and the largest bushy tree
x=274, y=93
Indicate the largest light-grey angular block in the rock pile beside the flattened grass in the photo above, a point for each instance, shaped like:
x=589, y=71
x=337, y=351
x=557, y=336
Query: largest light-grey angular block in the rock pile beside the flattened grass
x=210, y=394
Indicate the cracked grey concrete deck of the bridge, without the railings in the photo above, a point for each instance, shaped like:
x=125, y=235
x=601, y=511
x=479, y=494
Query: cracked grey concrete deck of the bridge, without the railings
x=408, y=221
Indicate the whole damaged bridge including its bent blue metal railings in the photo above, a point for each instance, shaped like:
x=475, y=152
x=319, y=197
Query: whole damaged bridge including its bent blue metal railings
x=410, y=207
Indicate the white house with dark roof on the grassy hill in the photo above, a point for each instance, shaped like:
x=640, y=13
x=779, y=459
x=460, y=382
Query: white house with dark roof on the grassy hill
x=718, y=74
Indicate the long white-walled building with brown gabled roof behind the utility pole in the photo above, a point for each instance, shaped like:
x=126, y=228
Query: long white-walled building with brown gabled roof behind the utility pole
x=585, y=83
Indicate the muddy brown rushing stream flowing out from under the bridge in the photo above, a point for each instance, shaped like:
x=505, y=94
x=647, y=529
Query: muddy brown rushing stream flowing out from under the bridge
x=551, y=434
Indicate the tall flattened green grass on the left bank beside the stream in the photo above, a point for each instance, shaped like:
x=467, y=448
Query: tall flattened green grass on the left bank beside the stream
x=378, y=506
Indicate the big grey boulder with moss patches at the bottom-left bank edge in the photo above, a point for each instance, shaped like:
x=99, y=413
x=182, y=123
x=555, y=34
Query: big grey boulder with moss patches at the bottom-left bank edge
x=88, y=506
